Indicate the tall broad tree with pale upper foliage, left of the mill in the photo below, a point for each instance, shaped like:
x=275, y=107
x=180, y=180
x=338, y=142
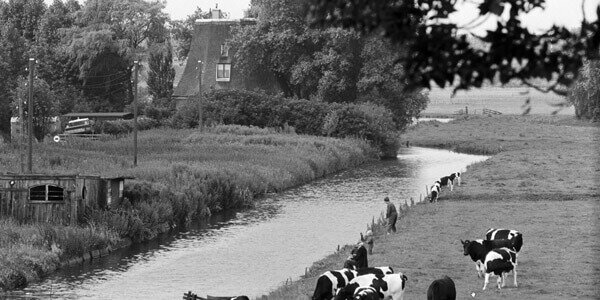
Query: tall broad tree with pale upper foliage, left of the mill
x=112, y=35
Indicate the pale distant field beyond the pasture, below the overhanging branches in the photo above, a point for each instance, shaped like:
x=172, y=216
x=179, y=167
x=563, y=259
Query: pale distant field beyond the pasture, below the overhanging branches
x=508, y=100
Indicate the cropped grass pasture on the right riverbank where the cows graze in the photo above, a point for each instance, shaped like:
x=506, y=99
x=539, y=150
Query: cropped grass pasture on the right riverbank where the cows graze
x=542, y=180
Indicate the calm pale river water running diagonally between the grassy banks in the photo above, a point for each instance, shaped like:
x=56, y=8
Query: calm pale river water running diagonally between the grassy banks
x=252, y=251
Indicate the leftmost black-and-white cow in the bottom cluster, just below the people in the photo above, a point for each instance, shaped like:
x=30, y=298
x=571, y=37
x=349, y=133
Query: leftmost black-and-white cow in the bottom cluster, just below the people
x=329, y=282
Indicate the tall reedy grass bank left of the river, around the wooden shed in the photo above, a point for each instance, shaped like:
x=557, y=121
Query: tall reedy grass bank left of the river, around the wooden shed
x=186, y=173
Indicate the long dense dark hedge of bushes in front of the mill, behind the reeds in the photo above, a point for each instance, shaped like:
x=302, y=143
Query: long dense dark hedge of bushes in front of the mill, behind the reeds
x=366, y=121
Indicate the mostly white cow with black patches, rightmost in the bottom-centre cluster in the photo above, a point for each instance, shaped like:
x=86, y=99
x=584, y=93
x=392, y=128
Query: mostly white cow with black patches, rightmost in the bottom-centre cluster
x=388, y=286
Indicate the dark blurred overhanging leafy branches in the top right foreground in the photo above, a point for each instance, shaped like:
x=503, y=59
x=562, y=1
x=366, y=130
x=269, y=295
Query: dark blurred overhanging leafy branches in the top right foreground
x=437, y=50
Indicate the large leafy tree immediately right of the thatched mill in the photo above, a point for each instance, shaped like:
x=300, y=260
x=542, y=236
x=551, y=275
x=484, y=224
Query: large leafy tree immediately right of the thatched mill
x=328, y=64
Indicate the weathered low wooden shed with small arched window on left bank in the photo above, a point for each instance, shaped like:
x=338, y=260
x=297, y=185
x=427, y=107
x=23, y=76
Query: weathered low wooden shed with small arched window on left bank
x=59, y=199
